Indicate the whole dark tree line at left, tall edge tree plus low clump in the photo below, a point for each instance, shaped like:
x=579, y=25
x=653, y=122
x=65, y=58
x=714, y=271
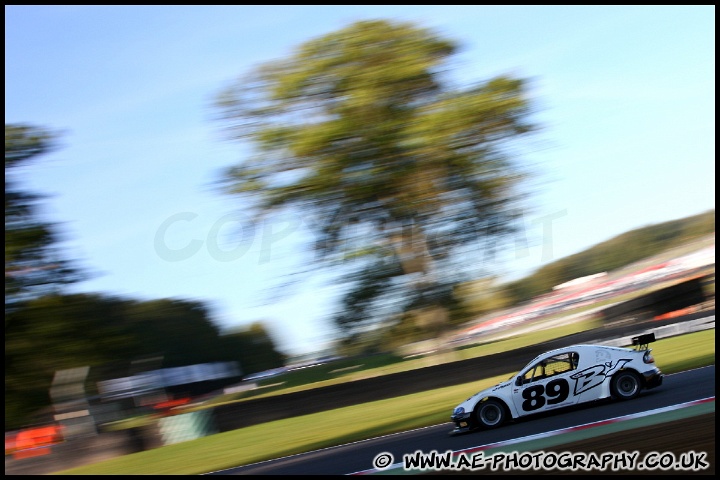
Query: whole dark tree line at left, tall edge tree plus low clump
x=47, y=330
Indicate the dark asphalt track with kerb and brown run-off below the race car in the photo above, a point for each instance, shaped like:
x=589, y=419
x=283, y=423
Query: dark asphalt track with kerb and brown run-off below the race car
x=623, y=426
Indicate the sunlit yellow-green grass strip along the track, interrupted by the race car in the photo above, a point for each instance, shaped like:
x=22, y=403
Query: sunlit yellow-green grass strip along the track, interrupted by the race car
x=343, y=425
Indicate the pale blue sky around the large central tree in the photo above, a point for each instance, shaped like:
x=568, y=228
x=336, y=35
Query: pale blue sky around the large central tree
x=627, y=97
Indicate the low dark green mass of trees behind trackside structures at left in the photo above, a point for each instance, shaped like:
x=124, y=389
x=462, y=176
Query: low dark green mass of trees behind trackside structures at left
x=109, y=334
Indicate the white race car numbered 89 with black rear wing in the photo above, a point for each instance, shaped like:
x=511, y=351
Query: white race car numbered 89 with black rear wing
x=561, y=378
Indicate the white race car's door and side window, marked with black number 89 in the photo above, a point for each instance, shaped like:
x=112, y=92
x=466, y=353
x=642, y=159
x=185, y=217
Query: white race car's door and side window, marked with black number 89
x=546, y=384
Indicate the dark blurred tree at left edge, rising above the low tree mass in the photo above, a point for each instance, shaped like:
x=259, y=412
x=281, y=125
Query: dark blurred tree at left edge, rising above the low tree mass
x=33, y=265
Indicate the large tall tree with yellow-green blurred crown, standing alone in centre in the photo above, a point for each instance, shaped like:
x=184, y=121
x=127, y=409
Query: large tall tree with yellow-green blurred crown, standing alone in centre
x=363, y=131
